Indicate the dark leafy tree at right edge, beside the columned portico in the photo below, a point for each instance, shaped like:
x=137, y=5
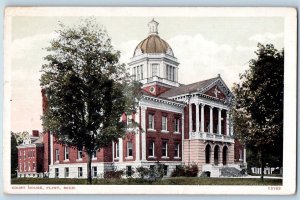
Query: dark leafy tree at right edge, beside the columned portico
x=258, y=112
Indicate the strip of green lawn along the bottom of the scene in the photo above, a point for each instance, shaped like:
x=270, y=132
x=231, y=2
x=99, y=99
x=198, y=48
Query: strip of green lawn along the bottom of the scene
x=169, y=181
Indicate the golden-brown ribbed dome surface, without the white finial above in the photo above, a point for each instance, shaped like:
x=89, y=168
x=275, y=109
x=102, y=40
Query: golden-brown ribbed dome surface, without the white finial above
x=153, y=44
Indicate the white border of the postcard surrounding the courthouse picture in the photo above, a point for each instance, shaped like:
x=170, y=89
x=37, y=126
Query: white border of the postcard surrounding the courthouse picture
x=290, y=42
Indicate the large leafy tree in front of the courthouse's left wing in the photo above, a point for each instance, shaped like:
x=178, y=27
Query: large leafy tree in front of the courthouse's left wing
x=87, y=89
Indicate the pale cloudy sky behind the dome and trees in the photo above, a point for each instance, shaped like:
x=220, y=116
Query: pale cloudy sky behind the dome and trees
x=204, y=47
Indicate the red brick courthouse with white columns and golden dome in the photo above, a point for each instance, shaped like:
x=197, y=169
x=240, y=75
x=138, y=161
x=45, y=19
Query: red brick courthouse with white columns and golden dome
x=179, y=124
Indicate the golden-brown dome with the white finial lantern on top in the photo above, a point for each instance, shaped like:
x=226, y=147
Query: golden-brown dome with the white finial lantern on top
x=153, y=43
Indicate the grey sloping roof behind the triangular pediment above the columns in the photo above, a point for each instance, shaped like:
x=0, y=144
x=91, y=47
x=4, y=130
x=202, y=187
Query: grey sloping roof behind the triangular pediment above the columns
x=184, y=89
